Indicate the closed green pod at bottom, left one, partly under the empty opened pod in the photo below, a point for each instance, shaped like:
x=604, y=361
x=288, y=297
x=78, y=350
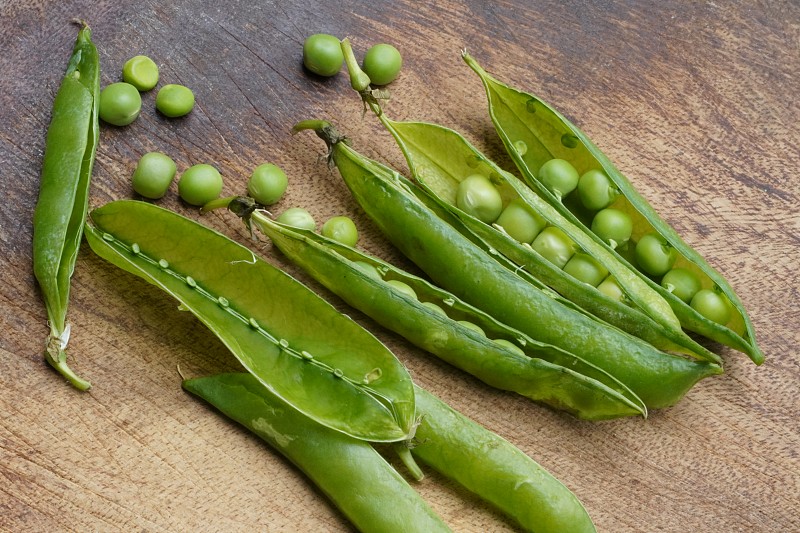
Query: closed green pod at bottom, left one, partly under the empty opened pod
x=348, y=471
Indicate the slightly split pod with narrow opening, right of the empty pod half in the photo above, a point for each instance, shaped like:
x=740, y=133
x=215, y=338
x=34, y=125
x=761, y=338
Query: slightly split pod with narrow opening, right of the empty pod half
x=538, y=371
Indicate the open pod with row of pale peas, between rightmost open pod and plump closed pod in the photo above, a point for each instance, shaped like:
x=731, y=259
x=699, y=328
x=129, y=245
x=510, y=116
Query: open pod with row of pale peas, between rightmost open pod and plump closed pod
x=442, y=161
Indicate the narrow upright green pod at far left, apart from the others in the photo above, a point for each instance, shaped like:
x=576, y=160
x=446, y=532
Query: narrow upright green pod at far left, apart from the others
x=64, y=192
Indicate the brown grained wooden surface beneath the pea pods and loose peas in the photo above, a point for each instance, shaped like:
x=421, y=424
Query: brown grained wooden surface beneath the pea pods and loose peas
x=695, y=101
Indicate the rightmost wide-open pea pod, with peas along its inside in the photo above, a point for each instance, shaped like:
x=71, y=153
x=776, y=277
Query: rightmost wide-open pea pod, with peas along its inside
x=534, y=134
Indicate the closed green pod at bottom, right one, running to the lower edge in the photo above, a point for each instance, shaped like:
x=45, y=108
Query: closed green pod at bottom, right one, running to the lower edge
x=495, y=470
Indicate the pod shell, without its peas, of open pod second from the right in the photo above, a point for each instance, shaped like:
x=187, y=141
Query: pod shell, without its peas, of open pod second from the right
x=424, y=144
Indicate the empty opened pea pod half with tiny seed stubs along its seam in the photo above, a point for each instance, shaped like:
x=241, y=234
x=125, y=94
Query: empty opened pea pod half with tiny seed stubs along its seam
x=299, y=347
